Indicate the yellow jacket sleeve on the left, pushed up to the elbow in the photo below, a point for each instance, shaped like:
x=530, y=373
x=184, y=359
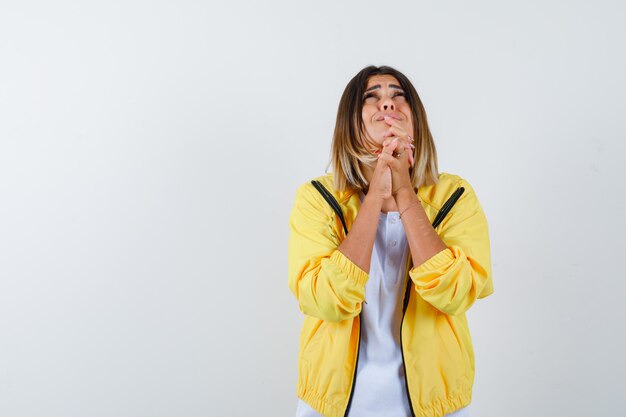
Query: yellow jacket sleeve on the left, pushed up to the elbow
x=326, y=283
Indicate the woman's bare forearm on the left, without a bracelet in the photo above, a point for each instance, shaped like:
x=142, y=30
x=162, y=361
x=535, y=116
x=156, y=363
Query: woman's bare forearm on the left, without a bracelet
x=359, y=242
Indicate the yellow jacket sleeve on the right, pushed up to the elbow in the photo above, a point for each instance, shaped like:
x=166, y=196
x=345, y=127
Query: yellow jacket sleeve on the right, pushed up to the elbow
x=452, y=279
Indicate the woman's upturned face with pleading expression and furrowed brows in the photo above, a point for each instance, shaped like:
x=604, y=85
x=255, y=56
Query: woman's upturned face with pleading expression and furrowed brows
x=384, y=97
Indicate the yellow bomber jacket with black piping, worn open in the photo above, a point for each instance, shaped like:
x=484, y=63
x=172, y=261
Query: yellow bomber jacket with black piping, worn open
x=435, y=337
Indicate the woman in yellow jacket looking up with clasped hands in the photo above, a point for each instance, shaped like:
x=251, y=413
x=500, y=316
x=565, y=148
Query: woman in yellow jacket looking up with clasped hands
x=385, y=332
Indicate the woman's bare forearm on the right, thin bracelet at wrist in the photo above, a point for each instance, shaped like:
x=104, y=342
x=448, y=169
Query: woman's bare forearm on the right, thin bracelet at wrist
x=424, y=242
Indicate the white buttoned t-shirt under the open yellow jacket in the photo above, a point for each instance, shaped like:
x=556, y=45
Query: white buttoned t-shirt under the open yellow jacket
x=380, y=389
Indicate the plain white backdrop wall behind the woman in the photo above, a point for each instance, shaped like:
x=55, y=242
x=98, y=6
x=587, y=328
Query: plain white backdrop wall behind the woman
x=149, y=156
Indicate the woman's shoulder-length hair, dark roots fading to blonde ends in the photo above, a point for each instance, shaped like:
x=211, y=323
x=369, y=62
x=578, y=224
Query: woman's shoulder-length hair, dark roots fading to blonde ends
x=349, y=153
